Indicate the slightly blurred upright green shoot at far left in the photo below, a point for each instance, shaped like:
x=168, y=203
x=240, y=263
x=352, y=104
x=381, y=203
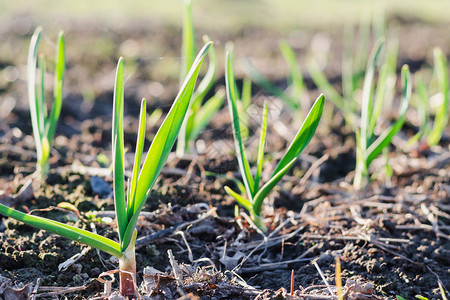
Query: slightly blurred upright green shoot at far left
x=44, y=124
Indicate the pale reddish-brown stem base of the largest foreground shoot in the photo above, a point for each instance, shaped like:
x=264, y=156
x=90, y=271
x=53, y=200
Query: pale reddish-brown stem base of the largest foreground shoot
x=127, y=266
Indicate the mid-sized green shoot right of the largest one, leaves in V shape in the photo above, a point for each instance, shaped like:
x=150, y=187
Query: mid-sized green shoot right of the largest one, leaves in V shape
x=255, y=194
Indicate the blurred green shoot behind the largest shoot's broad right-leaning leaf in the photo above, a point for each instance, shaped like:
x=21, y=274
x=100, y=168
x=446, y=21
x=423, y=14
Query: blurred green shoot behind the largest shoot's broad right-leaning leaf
x=201, y=111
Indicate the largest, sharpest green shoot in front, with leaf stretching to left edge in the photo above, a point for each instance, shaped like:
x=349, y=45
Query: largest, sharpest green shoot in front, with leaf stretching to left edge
x=128, y=205
